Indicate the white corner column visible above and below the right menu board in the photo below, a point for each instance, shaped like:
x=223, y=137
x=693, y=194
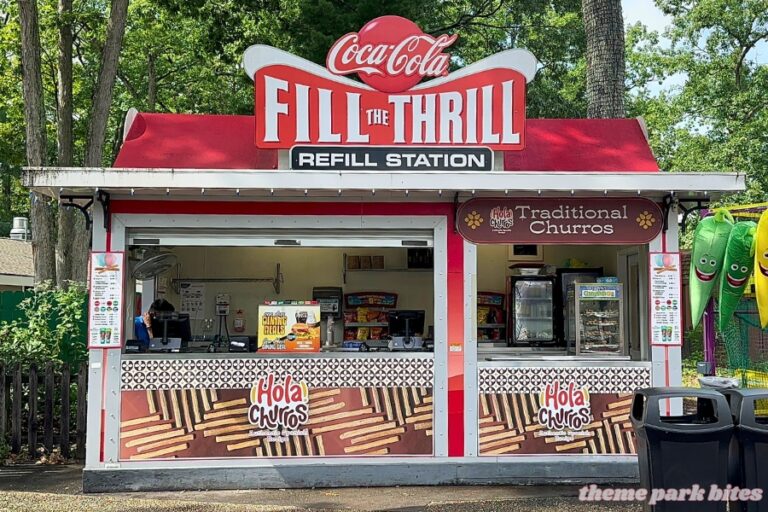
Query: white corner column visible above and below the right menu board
x=667, y=368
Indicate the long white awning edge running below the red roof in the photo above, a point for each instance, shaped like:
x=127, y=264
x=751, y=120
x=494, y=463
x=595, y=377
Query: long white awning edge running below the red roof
x=57, y=182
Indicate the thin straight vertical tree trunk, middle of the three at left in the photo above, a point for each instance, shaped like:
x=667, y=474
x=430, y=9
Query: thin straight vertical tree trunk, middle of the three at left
x=64, y=140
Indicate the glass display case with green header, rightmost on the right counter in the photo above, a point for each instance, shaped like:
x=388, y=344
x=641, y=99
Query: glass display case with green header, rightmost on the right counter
x=600, y=319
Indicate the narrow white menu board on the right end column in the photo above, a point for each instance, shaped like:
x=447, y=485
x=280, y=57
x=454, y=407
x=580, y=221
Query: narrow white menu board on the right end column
x=666, y=307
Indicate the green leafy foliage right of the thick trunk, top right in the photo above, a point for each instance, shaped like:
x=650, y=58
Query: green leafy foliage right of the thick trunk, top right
x=704, y=95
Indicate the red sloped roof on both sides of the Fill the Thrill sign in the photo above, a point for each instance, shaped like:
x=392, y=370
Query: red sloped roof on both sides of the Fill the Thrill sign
x=228, y=142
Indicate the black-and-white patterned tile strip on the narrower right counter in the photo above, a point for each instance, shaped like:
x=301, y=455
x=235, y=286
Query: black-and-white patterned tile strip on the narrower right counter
x=533, y=379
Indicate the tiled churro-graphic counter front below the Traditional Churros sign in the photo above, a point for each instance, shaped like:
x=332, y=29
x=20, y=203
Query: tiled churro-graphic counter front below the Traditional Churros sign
x=548, y=409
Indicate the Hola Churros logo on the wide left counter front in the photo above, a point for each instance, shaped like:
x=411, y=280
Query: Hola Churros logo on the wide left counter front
x=279, y=404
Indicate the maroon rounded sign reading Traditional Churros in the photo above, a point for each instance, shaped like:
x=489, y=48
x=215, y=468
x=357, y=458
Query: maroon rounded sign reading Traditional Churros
x=606, y=220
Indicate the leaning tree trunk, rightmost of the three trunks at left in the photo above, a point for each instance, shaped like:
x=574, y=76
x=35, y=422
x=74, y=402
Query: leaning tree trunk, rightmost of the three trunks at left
x=102, y=101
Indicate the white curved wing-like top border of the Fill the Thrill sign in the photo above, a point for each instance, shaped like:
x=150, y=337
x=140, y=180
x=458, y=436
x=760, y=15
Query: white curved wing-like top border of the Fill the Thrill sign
x=260, y=56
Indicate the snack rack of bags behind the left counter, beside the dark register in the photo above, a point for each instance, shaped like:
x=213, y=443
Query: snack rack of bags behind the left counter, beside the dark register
x=365, y=317
